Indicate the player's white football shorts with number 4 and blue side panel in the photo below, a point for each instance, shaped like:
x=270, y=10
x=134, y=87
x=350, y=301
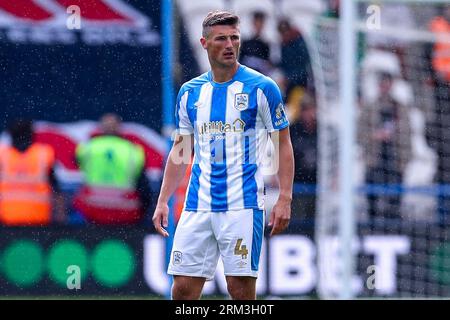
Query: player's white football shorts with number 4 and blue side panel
x=201, y=237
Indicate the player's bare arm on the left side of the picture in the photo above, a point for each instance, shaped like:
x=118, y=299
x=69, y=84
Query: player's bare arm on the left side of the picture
x=179, y=158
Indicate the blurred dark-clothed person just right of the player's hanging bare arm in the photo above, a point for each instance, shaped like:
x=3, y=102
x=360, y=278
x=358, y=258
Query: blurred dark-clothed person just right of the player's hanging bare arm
x=303, y=128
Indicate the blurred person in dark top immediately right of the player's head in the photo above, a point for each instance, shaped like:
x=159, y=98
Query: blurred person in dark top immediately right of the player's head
x=255, y=52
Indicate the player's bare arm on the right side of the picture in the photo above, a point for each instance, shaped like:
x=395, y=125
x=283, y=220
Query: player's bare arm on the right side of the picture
x=281, y=212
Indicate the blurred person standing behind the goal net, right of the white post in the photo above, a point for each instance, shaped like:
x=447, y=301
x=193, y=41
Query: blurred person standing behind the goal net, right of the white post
x=384, y=133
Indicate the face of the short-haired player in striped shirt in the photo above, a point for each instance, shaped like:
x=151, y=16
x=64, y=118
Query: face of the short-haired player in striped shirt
x=222, y=44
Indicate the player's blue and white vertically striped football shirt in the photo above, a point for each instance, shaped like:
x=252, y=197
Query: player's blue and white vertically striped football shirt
x=230, y=122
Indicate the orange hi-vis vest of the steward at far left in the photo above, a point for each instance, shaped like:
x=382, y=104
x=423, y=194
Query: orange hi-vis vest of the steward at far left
x=25, y=191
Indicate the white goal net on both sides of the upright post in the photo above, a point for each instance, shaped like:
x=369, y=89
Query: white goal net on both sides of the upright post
x=401, y=161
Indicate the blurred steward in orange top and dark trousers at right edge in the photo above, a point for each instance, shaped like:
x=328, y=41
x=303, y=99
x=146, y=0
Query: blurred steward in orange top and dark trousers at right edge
x=438, y=130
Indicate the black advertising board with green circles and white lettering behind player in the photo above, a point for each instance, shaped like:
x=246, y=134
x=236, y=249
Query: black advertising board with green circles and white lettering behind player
x=129, y=261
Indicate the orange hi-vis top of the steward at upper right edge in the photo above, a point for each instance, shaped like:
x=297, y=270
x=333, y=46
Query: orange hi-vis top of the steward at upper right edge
x=441, y=51
